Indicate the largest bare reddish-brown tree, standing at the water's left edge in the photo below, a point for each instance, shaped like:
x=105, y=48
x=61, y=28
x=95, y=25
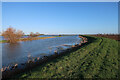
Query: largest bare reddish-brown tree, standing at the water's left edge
x=12, y=35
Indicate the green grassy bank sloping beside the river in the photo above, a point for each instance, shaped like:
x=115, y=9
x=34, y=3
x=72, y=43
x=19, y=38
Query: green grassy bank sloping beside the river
x=97, y=59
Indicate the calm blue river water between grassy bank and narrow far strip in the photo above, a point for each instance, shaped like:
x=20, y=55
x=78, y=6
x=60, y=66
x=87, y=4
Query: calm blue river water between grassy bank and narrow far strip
x=18, y=53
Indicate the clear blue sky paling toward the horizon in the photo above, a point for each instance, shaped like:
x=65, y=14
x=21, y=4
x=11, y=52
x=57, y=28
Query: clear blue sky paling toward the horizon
x=61, y=18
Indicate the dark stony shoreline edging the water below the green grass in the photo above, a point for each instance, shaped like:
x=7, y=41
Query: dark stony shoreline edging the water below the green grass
x=8, y=72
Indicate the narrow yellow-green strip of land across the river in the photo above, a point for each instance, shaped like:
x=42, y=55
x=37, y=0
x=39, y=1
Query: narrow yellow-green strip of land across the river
x=30, y=39
